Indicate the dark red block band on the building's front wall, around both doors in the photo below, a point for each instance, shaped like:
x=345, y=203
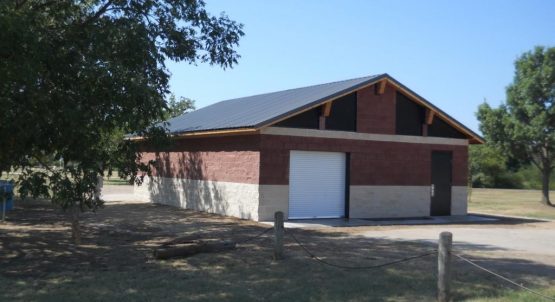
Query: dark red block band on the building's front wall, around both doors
x=372, y=162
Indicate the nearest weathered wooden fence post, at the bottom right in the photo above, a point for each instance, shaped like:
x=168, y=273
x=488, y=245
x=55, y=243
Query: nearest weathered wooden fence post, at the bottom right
x=444, y=267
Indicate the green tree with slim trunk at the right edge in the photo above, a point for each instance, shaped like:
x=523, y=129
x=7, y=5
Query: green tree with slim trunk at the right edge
x=524, y=127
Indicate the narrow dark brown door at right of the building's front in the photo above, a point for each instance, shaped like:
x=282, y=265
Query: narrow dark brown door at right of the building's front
x=441, y=183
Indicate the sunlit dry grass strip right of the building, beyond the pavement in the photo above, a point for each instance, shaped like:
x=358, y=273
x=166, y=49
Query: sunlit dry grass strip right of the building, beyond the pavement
x=510, y=202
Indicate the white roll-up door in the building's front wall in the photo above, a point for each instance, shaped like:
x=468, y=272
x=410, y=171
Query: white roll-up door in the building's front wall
x=316, y=184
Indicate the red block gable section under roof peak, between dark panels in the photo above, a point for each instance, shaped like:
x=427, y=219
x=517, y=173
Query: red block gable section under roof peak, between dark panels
x=376, y=113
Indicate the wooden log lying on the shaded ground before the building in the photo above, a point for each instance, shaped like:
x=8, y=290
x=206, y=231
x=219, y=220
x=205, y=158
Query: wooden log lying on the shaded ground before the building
x=193, y=248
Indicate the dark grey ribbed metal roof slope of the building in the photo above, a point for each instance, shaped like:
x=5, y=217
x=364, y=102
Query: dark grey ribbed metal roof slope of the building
x=258, y=110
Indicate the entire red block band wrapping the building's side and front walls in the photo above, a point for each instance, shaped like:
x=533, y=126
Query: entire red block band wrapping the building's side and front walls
x=265, y=159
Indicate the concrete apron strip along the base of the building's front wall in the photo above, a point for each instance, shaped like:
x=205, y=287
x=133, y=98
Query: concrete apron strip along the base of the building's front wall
x=353, y=222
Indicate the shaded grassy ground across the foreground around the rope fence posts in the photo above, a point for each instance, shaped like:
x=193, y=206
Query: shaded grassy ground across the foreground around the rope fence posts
x=38, y=263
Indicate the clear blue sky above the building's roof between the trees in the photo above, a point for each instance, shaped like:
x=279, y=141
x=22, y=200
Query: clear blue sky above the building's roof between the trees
x=453, y=53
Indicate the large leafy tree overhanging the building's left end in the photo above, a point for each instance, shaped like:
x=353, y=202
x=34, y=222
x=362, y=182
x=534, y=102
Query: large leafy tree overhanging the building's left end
x=77, y=75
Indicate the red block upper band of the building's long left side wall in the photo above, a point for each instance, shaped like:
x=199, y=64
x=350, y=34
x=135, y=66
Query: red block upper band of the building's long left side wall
x=230, y=159
